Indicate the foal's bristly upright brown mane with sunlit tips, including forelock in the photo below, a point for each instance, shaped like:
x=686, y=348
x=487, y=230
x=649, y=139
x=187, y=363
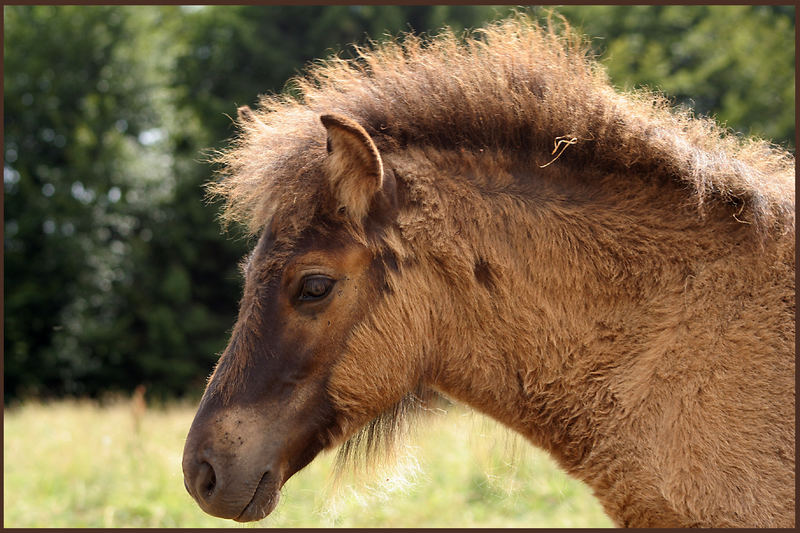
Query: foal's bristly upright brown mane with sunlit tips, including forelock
x=513, y=86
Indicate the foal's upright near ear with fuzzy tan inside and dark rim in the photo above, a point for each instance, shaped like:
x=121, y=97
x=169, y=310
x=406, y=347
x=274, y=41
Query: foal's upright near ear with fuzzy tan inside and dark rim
x=354, y=164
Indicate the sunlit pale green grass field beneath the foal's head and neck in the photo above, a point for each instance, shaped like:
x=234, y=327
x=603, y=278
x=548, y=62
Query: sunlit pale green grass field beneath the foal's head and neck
x=76, y=464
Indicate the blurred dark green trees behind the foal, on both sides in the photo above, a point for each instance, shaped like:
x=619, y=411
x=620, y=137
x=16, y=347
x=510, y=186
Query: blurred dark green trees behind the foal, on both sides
x=115, y=270
